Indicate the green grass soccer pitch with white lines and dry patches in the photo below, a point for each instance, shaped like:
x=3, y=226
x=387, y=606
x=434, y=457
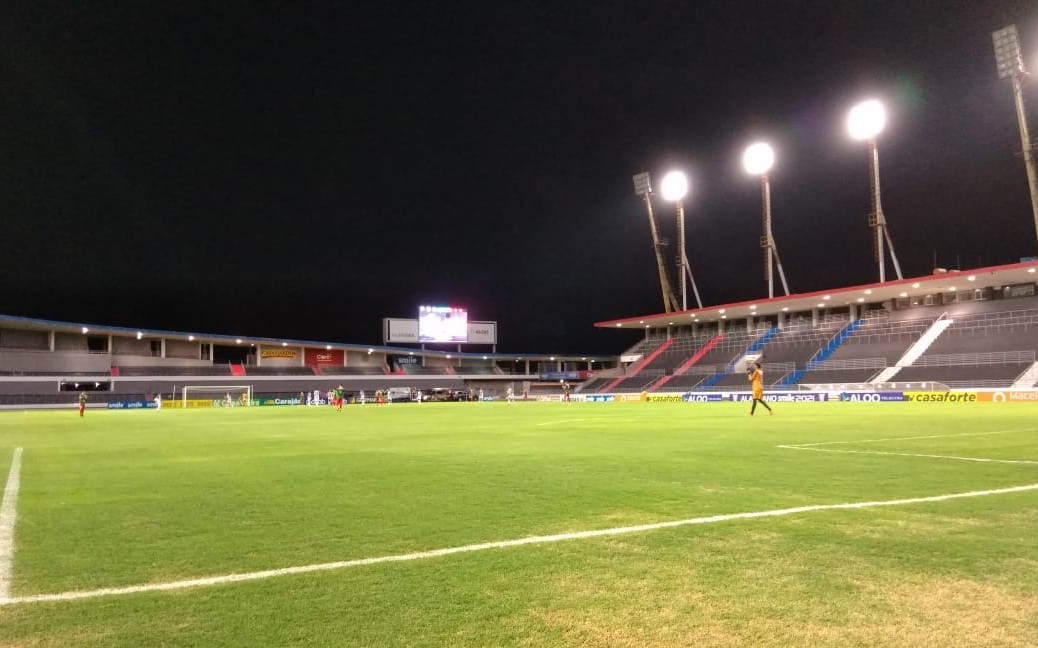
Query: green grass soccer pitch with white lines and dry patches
x=469, y=525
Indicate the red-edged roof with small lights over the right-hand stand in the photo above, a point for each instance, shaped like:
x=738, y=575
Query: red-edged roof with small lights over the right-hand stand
x=940, y=282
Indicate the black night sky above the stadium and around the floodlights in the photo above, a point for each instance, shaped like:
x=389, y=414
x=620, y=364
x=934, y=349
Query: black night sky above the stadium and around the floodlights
x=305, y=170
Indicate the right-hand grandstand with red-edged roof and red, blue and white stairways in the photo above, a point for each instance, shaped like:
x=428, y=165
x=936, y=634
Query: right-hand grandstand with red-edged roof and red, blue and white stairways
x=951, y=330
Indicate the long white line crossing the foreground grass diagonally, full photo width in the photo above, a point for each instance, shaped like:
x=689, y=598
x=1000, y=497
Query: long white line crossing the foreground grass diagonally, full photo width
x=258, y=576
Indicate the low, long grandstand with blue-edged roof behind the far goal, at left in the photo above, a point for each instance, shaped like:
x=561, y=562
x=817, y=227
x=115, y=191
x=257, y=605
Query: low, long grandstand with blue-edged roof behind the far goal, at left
x=47, y=364
